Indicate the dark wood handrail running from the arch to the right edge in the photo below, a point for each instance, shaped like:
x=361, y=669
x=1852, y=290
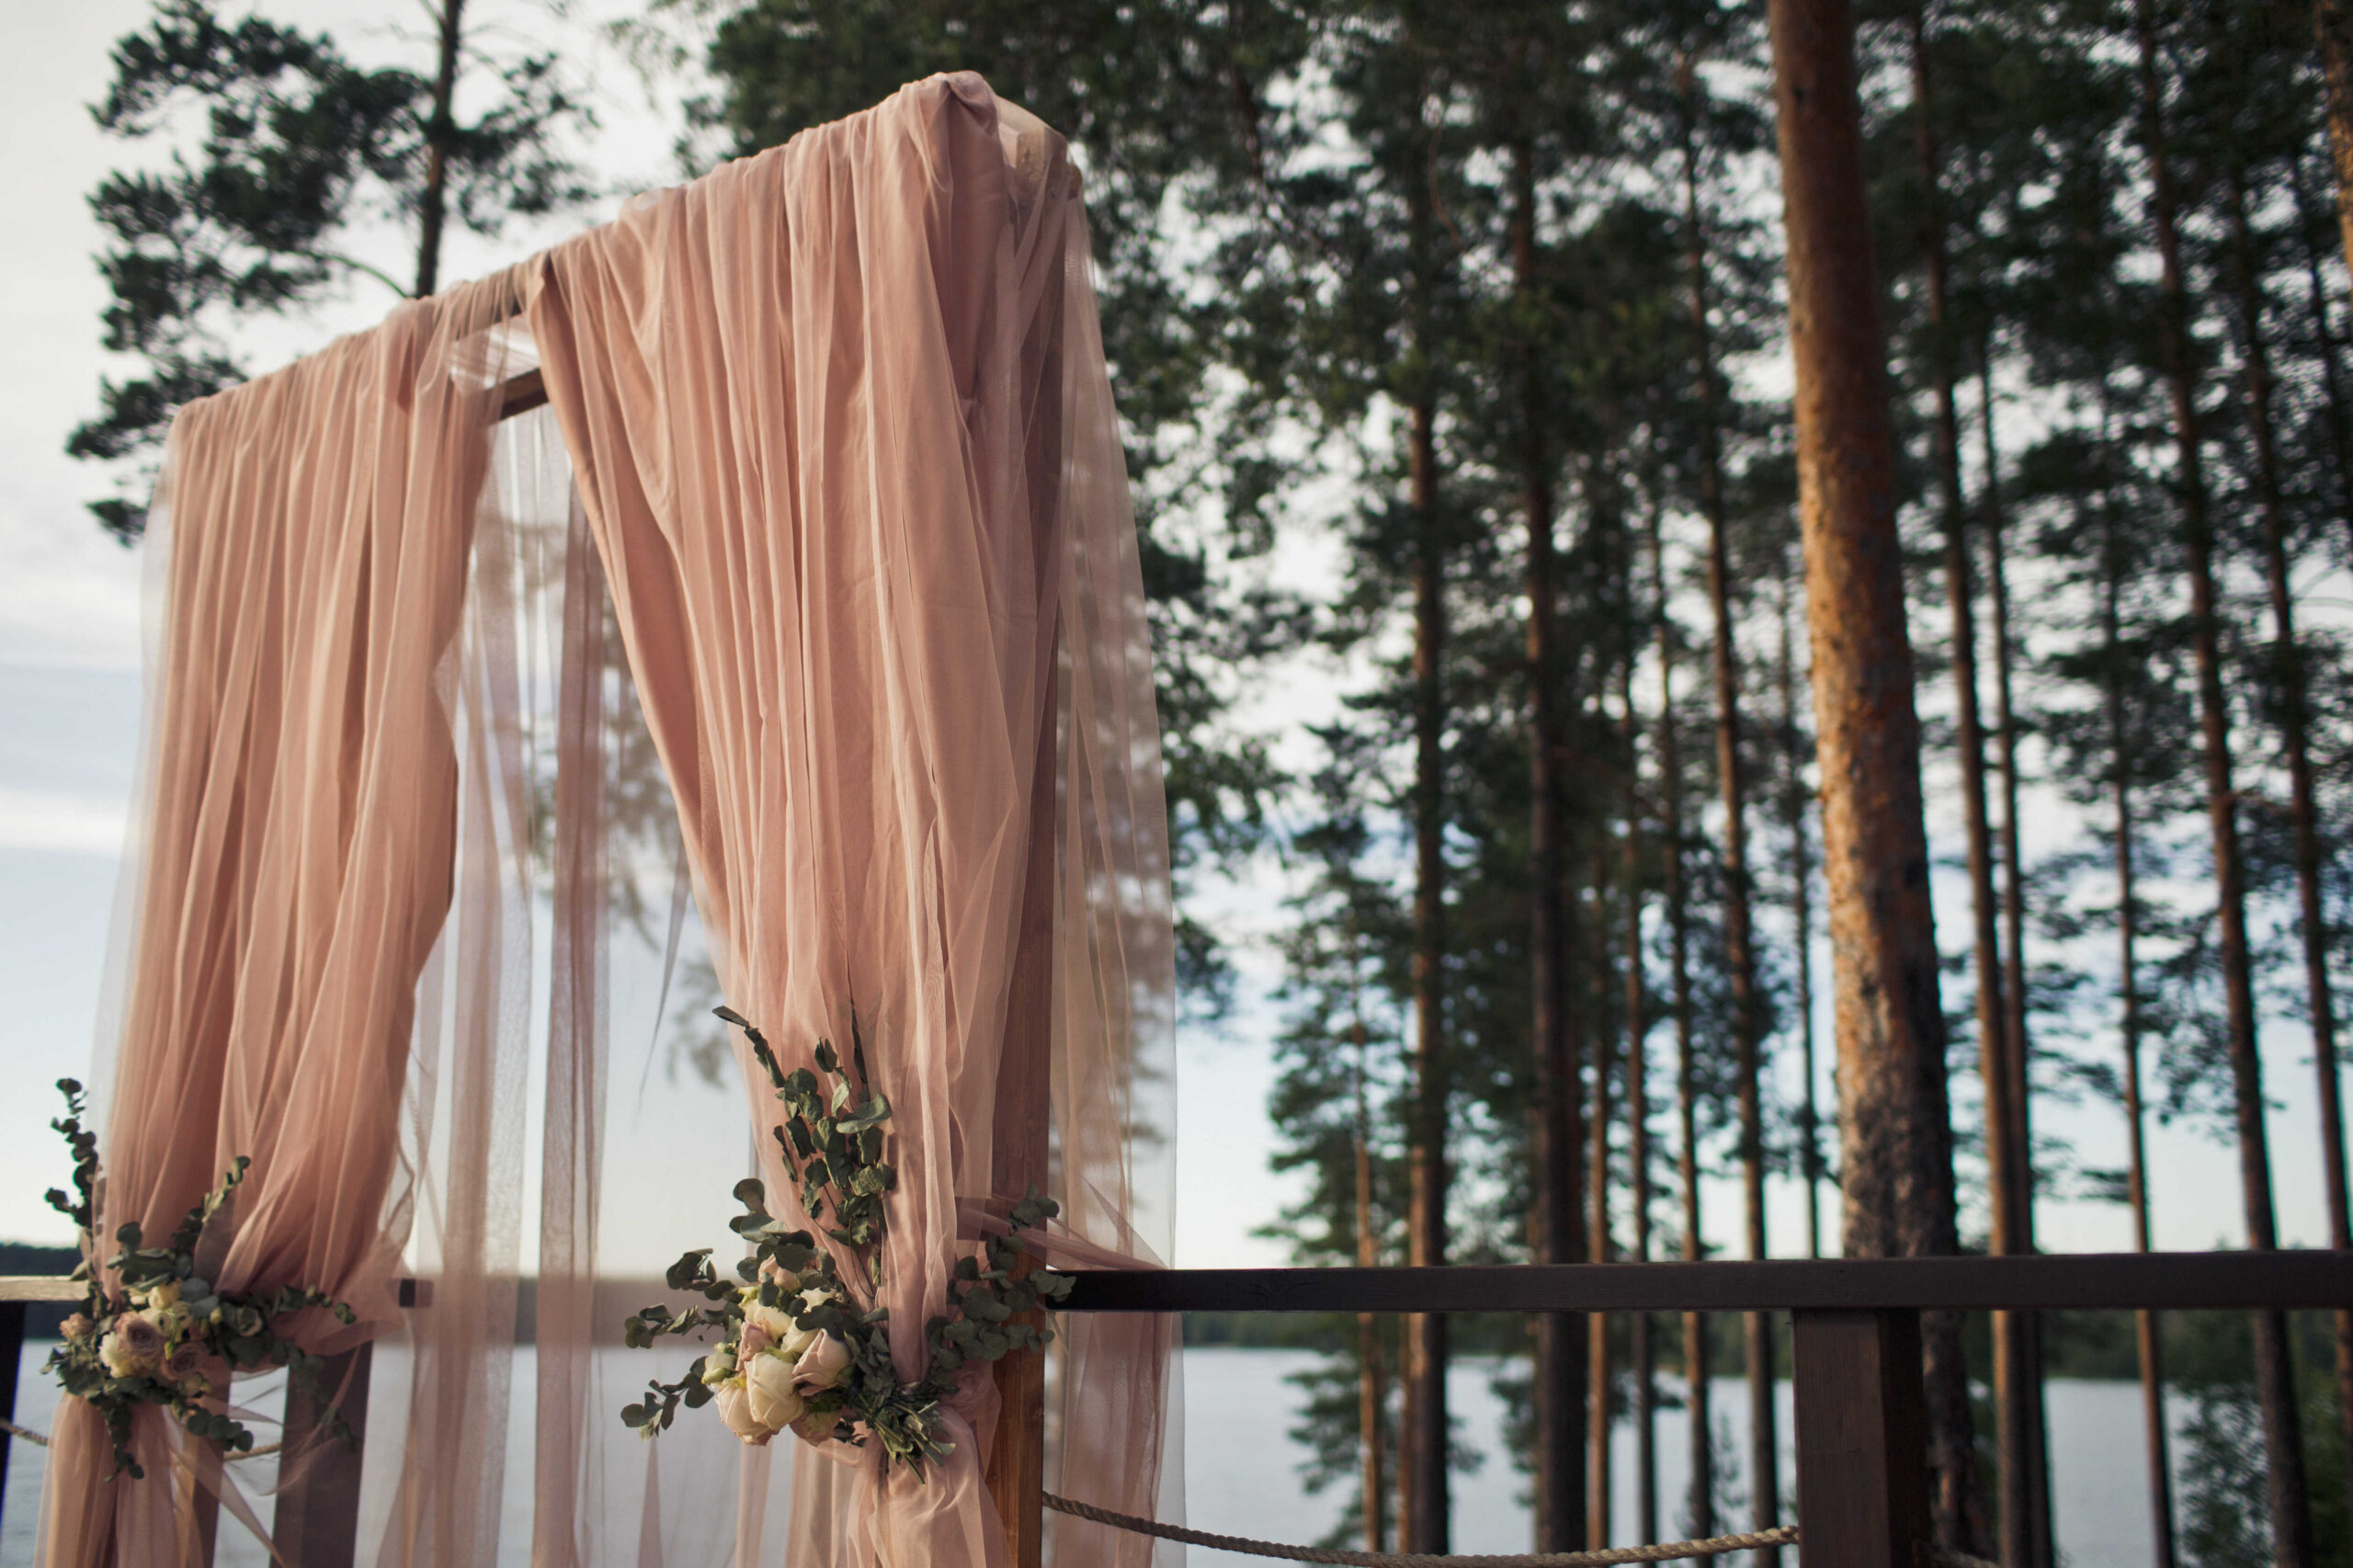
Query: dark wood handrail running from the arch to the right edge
x=1867, y=1284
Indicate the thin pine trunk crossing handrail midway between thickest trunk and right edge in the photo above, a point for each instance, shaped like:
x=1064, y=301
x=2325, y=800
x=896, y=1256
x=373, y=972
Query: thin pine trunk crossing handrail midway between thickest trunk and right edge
x=2128, y=929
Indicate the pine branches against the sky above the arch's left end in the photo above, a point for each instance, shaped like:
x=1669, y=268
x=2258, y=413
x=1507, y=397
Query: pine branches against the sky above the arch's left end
x=298, y=147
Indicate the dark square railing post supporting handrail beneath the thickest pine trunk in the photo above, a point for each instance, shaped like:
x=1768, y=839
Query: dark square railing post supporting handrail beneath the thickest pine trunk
x=1862, y=1440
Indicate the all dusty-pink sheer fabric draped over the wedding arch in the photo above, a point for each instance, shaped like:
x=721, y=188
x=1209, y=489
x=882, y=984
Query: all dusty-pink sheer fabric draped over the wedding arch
x=832, y=449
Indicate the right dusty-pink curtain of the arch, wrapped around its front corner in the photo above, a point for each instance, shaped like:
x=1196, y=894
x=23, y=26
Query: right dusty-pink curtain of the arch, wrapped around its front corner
x=846, y=441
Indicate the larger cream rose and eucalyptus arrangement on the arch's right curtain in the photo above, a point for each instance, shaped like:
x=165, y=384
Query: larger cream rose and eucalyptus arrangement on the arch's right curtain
x=799, y=1353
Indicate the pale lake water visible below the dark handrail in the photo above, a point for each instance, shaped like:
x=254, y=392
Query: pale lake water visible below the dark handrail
x=1244, y=1468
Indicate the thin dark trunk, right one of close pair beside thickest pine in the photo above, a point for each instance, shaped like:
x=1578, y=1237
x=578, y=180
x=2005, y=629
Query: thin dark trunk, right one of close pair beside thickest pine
x=2018, y=1044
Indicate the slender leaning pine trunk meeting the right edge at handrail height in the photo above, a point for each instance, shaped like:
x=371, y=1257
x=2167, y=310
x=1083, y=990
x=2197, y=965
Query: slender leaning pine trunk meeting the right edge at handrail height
x=2302, y=806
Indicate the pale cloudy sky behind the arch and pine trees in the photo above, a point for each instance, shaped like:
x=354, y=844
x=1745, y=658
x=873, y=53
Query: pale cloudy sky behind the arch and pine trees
x=72, y=691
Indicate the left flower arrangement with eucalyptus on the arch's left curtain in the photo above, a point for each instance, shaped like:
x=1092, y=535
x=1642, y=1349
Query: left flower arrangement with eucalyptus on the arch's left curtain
x=159, y=1341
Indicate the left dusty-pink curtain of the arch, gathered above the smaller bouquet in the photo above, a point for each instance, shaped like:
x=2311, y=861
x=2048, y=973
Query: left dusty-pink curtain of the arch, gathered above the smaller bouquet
x=335, y=660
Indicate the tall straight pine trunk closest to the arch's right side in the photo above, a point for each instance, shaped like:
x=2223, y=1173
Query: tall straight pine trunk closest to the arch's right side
x=1427, y=1517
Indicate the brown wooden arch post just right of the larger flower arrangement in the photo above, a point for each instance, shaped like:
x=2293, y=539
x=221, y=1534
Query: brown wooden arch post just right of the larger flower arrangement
x=1020, y=1157
